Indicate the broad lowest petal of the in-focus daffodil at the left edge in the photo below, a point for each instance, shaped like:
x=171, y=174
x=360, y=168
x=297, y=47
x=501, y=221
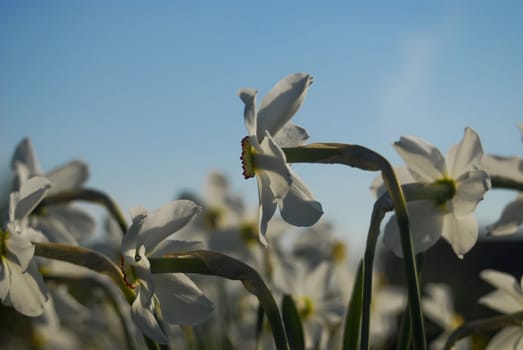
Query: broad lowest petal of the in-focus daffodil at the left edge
x=28, y=293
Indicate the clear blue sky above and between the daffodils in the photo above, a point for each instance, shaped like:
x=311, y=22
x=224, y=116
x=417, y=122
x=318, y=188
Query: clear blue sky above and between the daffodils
x=145, y=92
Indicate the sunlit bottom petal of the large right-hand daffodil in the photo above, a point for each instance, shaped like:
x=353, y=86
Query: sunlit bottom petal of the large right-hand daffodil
x=460, y=232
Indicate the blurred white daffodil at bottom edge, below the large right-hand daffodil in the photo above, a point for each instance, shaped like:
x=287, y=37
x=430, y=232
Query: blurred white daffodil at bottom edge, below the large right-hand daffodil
x=438, y=305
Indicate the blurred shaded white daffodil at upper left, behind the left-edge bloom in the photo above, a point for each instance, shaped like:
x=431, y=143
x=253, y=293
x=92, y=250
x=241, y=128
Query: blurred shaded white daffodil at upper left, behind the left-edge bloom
x=59, y=223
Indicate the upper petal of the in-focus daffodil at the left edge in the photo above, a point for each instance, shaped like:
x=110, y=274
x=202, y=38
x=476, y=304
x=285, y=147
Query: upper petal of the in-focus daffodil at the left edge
x=31, y=193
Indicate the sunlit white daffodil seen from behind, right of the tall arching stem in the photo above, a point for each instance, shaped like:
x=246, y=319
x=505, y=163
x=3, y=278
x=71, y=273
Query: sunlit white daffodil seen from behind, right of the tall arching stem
x=453, y=219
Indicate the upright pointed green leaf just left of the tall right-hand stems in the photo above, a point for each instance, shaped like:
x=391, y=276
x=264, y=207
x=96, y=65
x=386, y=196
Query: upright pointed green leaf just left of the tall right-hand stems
x=351, y=333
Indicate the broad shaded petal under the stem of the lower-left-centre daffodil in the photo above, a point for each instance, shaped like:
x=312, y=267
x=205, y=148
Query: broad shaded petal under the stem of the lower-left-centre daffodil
x=181, y=301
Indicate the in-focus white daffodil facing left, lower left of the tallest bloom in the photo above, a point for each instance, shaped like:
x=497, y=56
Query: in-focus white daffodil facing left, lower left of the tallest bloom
x=173, y=298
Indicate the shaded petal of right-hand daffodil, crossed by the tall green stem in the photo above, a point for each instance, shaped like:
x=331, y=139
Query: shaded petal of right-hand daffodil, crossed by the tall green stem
x=426, y=223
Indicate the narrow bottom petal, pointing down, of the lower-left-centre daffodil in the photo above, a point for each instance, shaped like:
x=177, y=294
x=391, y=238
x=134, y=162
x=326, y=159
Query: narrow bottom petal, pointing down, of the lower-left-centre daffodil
x=143, y=317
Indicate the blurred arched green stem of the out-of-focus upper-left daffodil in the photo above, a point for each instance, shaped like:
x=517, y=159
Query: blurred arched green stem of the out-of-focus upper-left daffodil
x=89, y=195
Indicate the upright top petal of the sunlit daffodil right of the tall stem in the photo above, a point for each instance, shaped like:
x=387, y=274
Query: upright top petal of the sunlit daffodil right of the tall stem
x=463, y=156
